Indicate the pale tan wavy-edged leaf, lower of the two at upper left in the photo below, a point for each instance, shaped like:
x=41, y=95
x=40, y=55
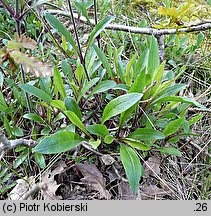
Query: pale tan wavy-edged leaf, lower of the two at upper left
x=32, y=64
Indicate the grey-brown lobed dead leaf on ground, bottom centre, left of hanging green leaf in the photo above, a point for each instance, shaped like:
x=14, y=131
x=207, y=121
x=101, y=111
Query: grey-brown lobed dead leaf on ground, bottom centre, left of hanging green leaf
x=94, y=178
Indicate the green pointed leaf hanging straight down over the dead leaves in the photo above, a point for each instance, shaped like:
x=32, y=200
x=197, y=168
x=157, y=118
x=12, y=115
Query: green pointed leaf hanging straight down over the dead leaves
x=132, y=166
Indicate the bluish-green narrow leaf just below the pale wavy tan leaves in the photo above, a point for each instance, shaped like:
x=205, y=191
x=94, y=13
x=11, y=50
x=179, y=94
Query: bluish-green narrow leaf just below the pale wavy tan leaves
x=36, y=92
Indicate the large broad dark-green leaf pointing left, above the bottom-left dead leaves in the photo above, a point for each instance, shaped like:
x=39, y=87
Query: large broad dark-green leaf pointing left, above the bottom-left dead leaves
x=57, y=143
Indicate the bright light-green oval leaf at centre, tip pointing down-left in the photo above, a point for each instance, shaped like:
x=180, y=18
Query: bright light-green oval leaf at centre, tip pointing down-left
x=119, y=105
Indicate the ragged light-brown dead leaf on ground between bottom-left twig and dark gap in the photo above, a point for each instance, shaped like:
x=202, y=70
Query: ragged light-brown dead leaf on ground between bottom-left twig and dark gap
x=48, y=178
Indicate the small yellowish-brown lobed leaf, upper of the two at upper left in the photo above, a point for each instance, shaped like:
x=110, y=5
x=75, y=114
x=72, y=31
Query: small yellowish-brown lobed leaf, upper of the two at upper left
x=22, y=42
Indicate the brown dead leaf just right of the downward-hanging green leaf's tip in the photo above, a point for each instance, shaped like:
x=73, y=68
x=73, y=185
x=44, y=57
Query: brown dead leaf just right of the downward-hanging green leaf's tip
x=153, y=163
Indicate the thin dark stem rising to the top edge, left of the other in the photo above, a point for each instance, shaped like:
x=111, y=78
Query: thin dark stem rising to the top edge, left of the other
x=82, y=59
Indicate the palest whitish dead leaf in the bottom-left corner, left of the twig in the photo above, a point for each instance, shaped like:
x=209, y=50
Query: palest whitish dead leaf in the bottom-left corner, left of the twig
x=23, y=186
